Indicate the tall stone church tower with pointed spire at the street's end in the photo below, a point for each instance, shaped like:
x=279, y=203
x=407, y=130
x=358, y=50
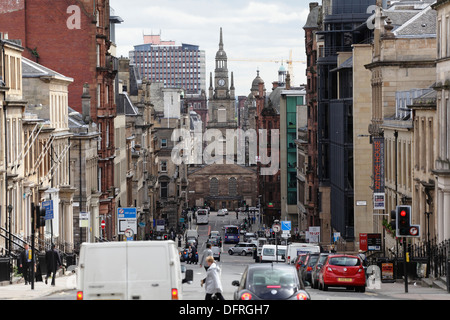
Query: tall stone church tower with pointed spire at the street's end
x=222, y=100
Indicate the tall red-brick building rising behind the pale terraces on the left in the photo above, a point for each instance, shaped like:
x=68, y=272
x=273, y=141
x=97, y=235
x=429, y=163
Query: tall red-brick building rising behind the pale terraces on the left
x=73, y=38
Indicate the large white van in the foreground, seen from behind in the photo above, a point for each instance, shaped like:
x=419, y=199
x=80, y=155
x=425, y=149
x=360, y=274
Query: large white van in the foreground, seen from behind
x=132, y=270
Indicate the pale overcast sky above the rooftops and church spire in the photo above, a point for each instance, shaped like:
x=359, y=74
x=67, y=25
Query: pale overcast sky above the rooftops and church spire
x=262, y=31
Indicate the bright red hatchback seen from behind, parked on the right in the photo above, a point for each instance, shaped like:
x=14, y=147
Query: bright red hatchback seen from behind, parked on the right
x=342, y=271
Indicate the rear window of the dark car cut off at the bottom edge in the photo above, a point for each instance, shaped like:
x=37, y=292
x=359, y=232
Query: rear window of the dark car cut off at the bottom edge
x=271, y=282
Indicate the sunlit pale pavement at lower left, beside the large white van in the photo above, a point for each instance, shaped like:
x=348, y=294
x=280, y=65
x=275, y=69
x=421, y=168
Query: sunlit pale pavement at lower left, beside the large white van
x=20, y=291
